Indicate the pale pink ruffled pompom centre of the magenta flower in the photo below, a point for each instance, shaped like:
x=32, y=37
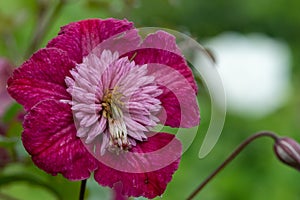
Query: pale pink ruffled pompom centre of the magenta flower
x=114, y=101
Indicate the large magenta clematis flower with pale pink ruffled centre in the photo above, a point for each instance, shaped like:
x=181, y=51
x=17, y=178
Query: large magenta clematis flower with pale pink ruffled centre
x=95, y=96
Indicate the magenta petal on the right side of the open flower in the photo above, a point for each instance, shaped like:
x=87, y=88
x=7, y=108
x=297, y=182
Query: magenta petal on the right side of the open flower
x=179, y=95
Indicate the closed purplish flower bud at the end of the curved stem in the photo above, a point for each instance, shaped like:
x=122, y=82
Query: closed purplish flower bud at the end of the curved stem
x=288, y=151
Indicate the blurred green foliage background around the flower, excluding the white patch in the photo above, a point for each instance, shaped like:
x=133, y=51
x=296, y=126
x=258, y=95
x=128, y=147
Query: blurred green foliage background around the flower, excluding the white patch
x=254, y=175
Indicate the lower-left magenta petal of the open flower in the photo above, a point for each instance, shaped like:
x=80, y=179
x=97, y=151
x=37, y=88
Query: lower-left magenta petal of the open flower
x=50, y=138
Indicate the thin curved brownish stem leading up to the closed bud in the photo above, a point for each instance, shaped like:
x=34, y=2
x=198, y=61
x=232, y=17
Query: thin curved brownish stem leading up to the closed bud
x=230, y=158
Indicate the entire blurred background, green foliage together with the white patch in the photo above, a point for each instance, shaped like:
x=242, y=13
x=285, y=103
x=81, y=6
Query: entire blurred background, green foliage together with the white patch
x=256, y=47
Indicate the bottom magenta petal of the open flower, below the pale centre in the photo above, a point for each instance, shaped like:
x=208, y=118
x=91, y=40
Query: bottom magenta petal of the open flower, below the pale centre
x=148, y=183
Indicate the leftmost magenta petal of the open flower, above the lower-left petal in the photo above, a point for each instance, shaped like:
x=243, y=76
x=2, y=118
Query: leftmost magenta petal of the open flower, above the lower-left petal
x=41, y=77
